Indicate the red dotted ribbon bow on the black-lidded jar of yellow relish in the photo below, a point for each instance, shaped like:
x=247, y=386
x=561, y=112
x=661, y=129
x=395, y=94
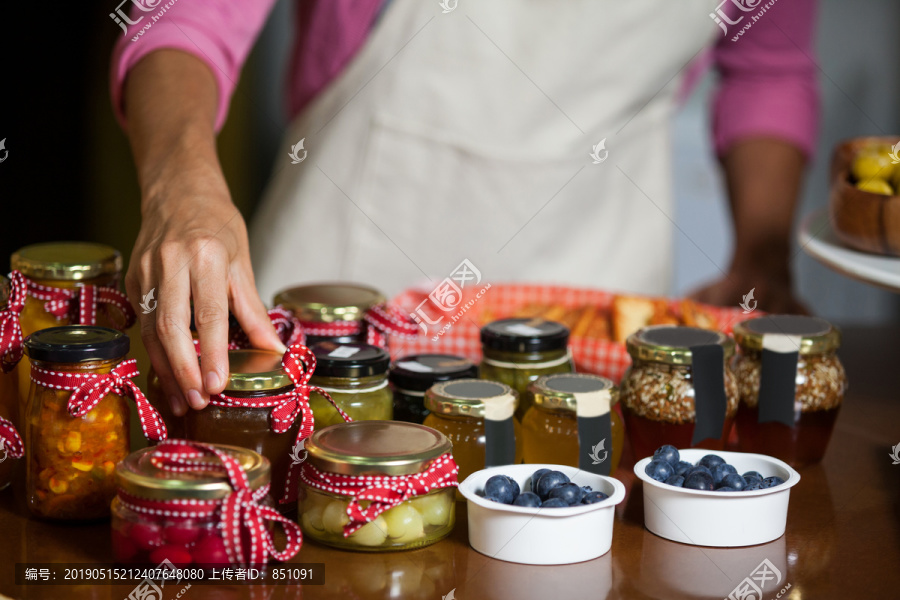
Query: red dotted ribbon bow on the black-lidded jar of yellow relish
x=90, y=388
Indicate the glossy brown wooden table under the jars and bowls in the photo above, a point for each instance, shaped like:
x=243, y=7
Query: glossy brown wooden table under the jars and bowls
x=842, y=540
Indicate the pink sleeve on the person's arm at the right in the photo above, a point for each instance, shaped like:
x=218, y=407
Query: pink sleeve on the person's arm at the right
x=769, y=80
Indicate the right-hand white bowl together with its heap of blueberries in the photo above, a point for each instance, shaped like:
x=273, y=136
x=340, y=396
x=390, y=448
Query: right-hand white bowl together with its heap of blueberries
x=721, y=499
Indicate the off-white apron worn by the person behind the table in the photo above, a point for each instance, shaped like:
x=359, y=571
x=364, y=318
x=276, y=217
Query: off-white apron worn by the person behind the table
x=467, y=135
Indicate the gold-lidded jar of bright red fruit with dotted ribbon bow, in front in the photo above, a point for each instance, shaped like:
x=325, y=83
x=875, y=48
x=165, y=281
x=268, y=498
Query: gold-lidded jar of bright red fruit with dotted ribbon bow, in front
x=196, y=505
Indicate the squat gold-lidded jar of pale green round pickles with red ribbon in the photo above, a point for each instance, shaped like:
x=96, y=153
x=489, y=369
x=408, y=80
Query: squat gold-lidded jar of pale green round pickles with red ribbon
x=403, y=470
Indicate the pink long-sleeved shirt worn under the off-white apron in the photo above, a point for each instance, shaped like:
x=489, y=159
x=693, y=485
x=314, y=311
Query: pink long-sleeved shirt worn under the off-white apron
x=768, y=76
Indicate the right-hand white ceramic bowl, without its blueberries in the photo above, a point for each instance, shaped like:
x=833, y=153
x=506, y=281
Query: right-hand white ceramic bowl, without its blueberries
x=723, y=519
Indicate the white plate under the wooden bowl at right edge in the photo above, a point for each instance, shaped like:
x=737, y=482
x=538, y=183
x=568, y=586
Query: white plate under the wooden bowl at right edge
x=817, y=238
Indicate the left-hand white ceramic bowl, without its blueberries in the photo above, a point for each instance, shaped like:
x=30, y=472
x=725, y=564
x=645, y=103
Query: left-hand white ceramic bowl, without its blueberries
x=541, y=536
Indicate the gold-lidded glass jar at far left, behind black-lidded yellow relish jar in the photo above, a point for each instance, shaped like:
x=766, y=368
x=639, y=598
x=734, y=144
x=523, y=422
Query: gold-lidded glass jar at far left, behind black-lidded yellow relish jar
x=64, y=265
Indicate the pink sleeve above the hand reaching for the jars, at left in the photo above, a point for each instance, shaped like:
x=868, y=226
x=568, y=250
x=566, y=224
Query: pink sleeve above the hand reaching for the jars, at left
x=218, y=32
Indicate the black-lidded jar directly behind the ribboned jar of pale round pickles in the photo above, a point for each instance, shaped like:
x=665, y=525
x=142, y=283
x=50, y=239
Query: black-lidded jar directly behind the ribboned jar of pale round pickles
x=355, y=376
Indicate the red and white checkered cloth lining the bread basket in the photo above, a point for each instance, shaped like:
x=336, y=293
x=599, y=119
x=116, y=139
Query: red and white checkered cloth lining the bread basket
x=602, y=357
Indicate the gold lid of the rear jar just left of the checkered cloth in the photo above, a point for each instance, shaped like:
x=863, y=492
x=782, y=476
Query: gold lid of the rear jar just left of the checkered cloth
x=329, y=302
